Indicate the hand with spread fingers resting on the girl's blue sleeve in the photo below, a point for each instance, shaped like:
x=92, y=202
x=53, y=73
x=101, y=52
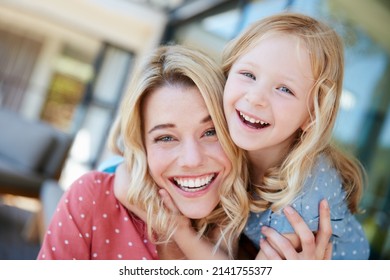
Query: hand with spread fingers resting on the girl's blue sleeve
x=315, y=247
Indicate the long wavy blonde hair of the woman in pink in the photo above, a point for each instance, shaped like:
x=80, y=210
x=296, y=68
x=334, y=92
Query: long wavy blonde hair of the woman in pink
x=182, y=66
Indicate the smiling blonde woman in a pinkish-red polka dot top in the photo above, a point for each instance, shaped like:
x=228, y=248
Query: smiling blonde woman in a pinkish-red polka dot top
x=174, y=139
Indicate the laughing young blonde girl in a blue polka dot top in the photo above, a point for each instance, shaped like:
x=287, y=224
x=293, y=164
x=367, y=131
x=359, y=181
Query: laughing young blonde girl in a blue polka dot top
x=284, y=82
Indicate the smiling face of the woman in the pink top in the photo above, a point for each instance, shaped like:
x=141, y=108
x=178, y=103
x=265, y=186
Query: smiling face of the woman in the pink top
x=183, y=152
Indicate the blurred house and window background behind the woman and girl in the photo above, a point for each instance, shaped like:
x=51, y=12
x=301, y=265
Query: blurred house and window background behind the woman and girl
x=65, y=64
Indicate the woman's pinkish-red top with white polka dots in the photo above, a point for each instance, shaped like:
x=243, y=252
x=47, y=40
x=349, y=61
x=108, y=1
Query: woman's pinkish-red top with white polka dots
x=90, y=223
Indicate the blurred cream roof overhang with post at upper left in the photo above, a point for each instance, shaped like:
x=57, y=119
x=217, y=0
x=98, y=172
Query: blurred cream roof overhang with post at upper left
x=82, y=24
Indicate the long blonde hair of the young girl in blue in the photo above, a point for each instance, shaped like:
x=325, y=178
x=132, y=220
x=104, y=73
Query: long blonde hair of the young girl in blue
x=282, y=183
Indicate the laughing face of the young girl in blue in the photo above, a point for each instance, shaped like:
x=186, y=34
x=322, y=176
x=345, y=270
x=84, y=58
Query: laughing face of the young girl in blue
x=266, y=93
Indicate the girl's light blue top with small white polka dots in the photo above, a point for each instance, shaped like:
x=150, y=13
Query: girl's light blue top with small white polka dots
x=349, y=240
